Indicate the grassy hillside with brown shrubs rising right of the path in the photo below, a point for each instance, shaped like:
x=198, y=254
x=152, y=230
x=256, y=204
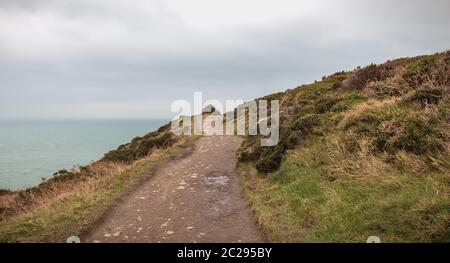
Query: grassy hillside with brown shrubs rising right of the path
x=362, y=153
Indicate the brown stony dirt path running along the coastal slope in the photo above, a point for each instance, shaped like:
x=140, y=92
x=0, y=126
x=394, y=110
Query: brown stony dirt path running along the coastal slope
x=194, y=199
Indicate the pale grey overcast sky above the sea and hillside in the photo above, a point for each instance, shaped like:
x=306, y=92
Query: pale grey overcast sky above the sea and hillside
x=133, y=58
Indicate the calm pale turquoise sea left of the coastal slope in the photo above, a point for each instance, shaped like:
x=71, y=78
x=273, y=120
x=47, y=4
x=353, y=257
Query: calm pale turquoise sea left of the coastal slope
x=32, y=150
